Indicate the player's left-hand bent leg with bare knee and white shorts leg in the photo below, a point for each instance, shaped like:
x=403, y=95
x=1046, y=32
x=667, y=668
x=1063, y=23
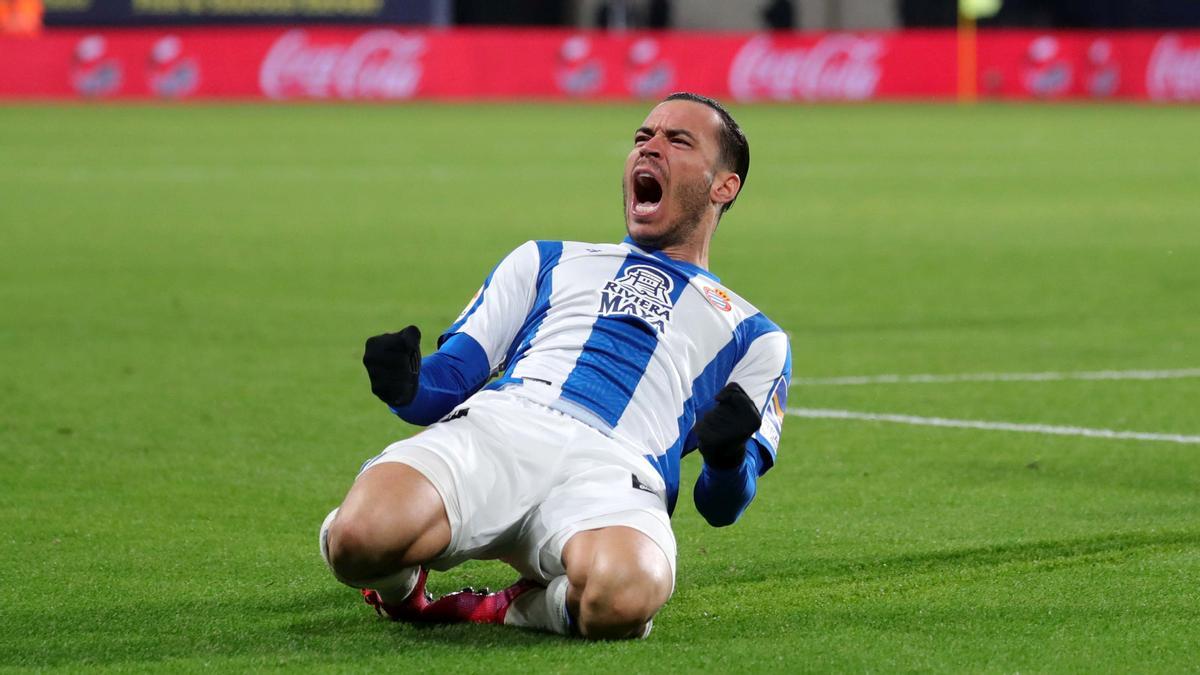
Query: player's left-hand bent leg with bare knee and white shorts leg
x=435, y=500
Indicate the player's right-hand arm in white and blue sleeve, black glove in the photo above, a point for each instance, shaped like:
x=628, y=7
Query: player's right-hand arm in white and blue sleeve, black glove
x=739, y=437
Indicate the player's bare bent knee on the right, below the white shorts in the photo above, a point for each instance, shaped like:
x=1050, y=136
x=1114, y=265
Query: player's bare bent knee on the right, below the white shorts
x=617, y=581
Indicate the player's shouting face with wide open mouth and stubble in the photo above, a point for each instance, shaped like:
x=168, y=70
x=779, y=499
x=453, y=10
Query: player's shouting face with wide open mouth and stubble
x=669, y=175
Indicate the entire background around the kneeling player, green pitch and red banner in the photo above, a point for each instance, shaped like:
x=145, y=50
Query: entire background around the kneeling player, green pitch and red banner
x=207, y=206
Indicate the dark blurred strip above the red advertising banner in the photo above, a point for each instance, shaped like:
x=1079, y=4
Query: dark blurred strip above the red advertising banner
x=691, y=15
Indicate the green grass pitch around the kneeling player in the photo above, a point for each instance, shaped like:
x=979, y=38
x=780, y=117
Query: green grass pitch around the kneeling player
x=185, y=292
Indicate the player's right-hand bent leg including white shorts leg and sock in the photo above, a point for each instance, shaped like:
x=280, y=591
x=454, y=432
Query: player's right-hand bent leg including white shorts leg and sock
x=602, y=542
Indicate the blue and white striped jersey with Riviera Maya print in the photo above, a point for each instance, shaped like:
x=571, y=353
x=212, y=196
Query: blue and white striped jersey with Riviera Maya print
x=628, y=341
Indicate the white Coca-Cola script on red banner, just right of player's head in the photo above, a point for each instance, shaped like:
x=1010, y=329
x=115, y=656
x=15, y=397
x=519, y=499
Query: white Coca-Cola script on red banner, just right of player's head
x=837, y=68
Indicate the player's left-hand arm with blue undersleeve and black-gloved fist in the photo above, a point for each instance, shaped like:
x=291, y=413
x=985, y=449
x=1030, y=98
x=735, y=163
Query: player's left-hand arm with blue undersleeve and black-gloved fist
x=424, y=391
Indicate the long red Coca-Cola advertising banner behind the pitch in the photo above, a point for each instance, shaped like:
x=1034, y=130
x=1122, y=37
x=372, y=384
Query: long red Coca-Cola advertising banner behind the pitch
x=482, y=64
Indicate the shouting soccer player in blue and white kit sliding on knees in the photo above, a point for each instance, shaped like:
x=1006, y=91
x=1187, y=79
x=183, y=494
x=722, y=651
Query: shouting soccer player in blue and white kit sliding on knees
x=561, y=402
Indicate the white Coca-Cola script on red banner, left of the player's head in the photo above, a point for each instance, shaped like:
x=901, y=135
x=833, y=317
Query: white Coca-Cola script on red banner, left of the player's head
x=380, y=64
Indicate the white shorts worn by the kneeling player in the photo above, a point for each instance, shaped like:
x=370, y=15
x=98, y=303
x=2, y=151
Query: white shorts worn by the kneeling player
x=519, y=480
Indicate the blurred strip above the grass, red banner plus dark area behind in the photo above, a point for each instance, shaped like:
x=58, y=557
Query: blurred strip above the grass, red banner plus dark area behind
x=466, y=50
